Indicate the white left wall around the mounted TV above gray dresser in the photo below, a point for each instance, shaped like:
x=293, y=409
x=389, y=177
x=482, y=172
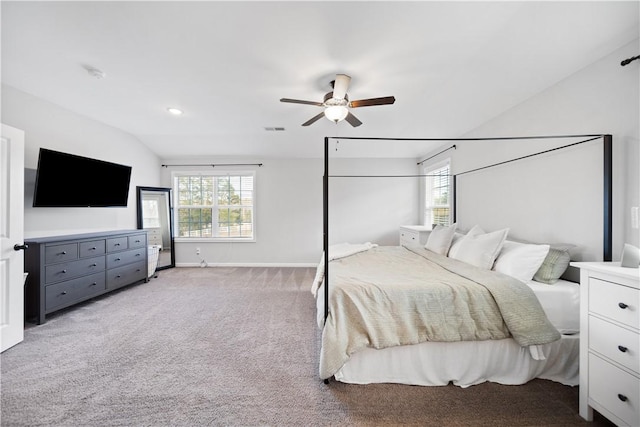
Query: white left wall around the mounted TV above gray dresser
x=50, y=126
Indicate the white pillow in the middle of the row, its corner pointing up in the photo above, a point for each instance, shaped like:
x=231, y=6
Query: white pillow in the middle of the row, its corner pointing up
x=481, y=250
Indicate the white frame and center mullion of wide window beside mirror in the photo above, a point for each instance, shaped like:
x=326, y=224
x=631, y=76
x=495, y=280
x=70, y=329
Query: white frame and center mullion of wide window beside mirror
x=214, y=206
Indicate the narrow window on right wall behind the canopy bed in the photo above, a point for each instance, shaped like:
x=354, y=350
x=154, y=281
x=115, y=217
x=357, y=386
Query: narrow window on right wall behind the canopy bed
x=437, y=200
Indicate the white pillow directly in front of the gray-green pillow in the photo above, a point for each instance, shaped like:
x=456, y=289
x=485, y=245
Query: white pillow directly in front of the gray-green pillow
x=520, y=260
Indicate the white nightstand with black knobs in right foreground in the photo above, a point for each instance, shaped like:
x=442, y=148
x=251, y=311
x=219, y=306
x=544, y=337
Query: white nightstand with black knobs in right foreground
x=609, y=342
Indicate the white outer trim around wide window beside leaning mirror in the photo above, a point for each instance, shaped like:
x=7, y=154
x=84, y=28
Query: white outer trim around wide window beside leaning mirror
x=176, y=174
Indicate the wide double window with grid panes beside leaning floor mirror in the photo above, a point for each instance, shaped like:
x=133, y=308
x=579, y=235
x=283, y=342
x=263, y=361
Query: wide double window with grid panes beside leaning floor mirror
x=215, y=206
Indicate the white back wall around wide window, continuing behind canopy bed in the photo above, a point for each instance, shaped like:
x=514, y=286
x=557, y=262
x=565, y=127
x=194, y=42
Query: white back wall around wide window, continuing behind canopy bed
x=289, y=210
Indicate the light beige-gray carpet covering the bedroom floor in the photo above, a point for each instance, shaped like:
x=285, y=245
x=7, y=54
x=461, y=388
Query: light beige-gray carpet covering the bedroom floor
x=228, y=346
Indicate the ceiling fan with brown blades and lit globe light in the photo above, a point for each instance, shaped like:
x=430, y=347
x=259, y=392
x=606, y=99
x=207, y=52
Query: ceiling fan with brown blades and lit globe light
x=336, y=103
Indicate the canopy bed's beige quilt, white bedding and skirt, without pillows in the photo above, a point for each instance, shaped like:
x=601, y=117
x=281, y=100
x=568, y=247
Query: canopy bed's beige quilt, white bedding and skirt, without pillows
x=462, y=355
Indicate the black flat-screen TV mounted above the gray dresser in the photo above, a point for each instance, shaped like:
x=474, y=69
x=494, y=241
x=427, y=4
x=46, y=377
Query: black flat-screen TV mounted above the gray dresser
x=67, y=180
